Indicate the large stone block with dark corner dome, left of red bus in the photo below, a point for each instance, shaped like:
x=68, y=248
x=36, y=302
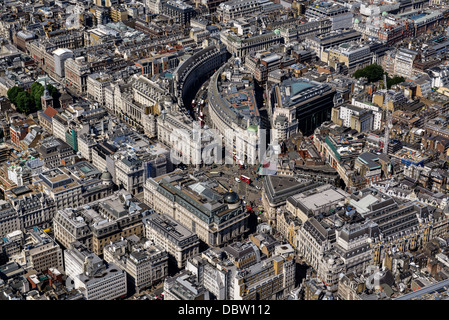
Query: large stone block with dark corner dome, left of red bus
x=202, y=205
